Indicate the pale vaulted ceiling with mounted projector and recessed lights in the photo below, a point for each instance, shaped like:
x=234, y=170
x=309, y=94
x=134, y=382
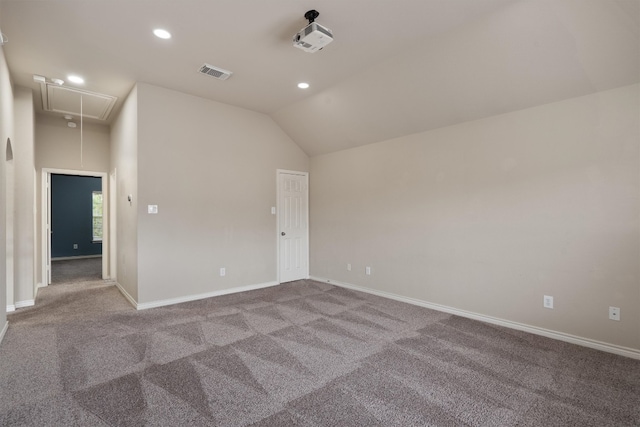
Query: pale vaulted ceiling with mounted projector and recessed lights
x=396, y=67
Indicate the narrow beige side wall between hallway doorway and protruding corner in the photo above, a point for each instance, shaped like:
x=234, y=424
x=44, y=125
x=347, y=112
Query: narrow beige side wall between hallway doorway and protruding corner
x=124, y=167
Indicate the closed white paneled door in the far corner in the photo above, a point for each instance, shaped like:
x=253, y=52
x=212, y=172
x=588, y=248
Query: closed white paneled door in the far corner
x=293, y=226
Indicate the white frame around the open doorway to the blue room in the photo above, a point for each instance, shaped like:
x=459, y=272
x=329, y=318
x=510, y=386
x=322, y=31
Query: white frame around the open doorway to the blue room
x=45, y=191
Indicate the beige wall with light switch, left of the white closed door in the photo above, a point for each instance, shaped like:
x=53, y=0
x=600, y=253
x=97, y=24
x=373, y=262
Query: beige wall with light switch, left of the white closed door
x=211, y=169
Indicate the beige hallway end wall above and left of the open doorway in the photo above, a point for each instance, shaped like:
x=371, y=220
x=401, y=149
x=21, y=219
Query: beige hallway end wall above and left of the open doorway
x=57, y=146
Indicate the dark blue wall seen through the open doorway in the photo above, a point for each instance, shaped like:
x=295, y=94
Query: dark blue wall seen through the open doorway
x=72, y=215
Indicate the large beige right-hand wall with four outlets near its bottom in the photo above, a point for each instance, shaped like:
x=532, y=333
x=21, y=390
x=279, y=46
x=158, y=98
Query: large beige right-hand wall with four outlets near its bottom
x=488, y=216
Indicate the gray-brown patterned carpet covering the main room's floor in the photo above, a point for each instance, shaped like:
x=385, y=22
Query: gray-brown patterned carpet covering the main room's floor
x=298, y=354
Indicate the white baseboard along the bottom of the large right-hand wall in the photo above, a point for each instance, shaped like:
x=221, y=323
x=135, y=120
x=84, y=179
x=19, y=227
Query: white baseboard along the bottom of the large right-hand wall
x=561, y=336
